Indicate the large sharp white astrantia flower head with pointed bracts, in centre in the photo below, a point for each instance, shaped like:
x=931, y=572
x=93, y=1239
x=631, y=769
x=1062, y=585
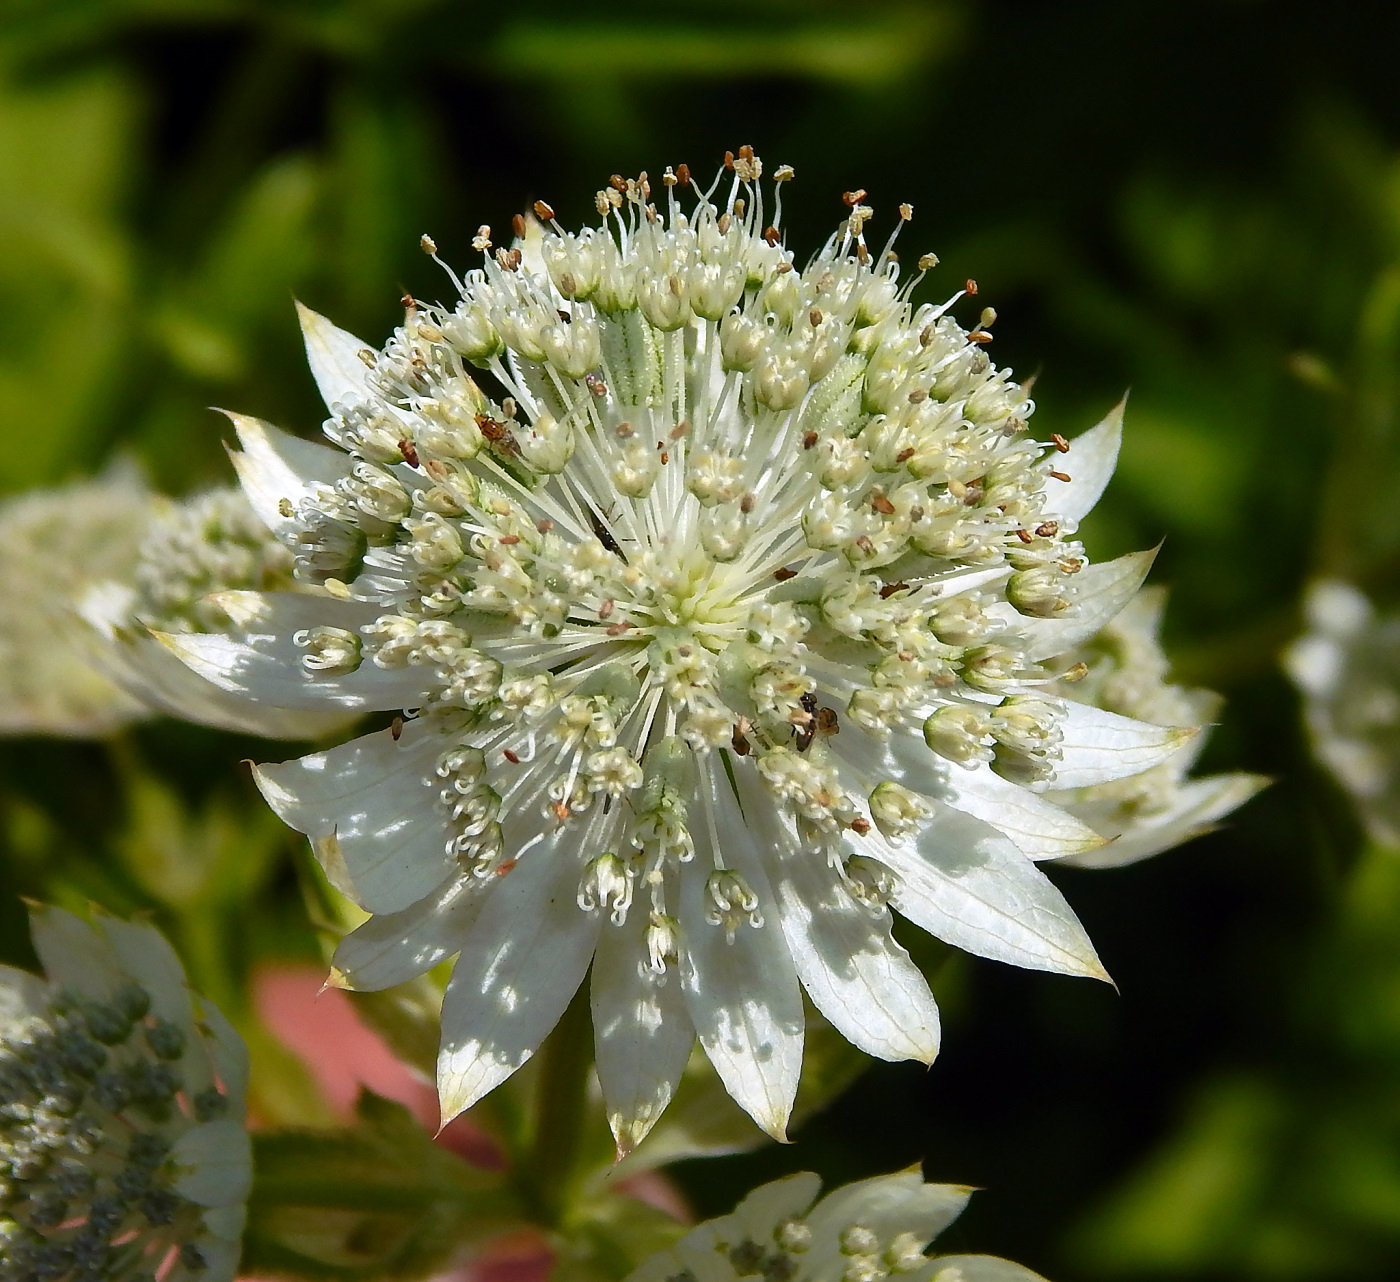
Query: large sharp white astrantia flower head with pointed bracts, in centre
x=717, y=593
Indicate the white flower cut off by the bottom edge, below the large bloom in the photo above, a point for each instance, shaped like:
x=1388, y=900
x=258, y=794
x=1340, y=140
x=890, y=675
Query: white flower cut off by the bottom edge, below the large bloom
x=859, y=1234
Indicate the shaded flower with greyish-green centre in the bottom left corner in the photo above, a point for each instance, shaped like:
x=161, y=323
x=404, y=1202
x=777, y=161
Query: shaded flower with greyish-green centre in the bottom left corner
x=122, y=1143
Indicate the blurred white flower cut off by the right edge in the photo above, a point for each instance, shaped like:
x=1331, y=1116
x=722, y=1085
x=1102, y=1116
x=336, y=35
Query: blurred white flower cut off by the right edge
x=1347, y=667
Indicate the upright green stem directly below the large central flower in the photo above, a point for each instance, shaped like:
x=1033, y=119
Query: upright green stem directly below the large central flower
x=549, y=1171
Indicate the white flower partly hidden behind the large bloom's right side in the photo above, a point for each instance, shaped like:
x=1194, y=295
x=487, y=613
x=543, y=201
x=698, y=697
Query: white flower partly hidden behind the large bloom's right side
x=1160, y=808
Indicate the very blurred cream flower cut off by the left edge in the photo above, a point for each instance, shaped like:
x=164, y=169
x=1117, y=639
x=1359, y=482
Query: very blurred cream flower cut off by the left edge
x=58, y=544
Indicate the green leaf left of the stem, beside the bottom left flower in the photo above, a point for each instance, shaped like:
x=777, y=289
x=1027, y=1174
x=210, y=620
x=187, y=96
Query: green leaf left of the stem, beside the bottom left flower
x=376, y=1200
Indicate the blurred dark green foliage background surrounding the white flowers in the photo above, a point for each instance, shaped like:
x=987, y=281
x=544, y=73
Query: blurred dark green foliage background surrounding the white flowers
x=1195, y=201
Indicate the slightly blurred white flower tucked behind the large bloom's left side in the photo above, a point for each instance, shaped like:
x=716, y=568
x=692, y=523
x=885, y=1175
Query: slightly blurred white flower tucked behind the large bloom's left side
x=194, y=551
